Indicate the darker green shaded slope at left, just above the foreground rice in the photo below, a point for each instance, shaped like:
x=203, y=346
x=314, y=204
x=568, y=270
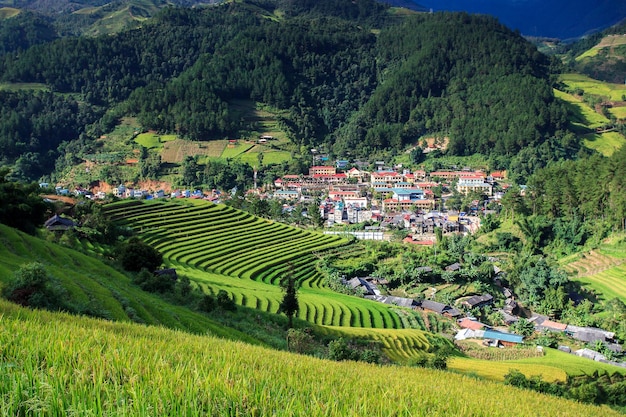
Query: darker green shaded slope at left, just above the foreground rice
x=97, y=288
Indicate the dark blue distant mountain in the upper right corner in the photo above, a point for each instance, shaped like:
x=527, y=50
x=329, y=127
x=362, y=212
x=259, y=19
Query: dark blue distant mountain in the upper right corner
x=562, y=19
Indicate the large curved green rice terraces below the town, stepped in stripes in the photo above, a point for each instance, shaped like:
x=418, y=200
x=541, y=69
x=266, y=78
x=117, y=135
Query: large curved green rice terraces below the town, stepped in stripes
x=219, y=247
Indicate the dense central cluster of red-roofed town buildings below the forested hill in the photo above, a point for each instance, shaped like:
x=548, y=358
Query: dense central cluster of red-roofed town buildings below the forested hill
x=391, y=196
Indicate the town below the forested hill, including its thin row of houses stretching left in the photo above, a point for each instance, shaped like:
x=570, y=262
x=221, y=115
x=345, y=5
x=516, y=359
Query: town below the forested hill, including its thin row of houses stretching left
x=387, y=198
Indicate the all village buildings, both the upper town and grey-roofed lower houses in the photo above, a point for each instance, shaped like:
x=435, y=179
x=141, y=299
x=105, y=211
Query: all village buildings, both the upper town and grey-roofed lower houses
x=394, y=198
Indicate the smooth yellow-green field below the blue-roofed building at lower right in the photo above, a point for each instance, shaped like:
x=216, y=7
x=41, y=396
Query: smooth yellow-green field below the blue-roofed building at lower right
x=553, y=366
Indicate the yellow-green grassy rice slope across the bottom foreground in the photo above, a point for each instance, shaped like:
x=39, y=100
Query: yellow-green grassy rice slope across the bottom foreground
x=55, y=364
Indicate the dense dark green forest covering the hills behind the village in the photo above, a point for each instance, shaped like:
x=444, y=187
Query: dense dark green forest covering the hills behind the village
x=351, y=75
